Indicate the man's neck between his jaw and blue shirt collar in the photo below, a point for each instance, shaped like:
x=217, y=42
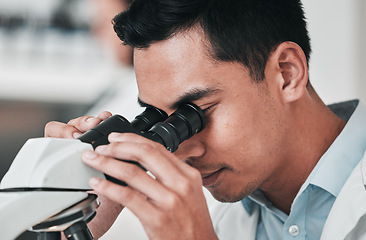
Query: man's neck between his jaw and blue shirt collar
x=316, y=128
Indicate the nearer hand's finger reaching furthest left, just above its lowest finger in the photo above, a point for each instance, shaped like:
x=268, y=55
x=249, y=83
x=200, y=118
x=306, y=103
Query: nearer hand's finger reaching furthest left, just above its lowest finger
x=129, y=173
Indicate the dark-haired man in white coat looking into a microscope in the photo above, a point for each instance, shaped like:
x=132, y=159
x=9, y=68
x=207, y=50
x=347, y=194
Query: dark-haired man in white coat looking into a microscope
x=288, y=166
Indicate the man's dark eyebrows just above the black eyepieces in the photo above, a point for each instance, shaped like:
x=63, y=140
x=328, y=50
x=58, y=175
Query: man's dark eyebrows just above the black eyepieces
x=190, y=96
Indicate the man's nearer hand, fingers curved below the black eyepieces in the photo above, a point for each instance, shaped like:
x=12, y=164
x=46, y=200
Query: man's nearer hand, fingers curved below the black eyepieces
x=171, y=206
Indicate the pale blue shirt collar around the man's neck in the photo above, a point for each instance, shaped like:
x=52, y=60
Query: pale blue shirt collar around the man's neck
x=334, y=167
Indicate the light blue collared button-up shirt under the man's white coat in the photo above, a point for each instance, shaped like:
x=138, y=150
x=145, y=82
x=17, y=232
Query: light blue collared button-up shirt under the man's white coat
x=315, y=199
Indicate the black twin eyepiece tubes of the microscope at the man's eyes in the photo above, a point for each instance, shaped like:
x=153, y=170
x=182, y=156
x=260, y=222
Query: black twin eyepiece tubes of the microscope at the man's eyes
x=154, y=124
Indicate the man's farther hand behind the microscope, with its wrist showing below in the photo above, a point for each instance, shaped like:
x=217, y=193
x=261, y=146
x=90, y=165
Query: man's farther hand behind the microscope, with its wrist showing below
x=108, y=211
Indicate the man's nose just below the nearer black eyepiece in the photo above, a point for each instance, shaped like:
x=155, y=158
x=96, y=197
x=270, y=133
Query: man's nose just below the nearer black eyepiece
x=190, y=148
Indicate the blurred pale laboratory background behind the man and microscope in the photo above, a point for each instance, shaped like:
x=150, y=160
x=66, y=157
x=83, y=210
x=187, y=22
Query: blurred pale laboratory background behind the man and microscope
x=60, y=59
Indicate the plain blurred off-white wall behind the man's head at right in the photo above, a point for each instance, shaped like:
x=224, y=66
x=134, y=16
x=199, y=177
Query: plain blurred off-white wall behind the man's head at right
x=337, y=30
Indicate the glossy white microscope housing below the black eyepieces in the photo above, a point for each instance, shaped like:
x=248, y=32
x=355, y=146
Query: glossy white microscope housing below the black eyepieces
x=46, y=177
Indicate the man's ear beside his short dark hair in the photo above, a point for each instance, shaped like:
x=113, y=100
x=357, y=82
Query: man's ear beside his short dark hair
x=290, y=71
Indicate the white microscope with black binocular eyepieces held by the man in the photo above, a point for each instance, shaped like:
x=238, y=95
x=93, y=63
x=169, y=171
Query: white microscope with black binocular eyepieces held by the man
x=46, y=188
